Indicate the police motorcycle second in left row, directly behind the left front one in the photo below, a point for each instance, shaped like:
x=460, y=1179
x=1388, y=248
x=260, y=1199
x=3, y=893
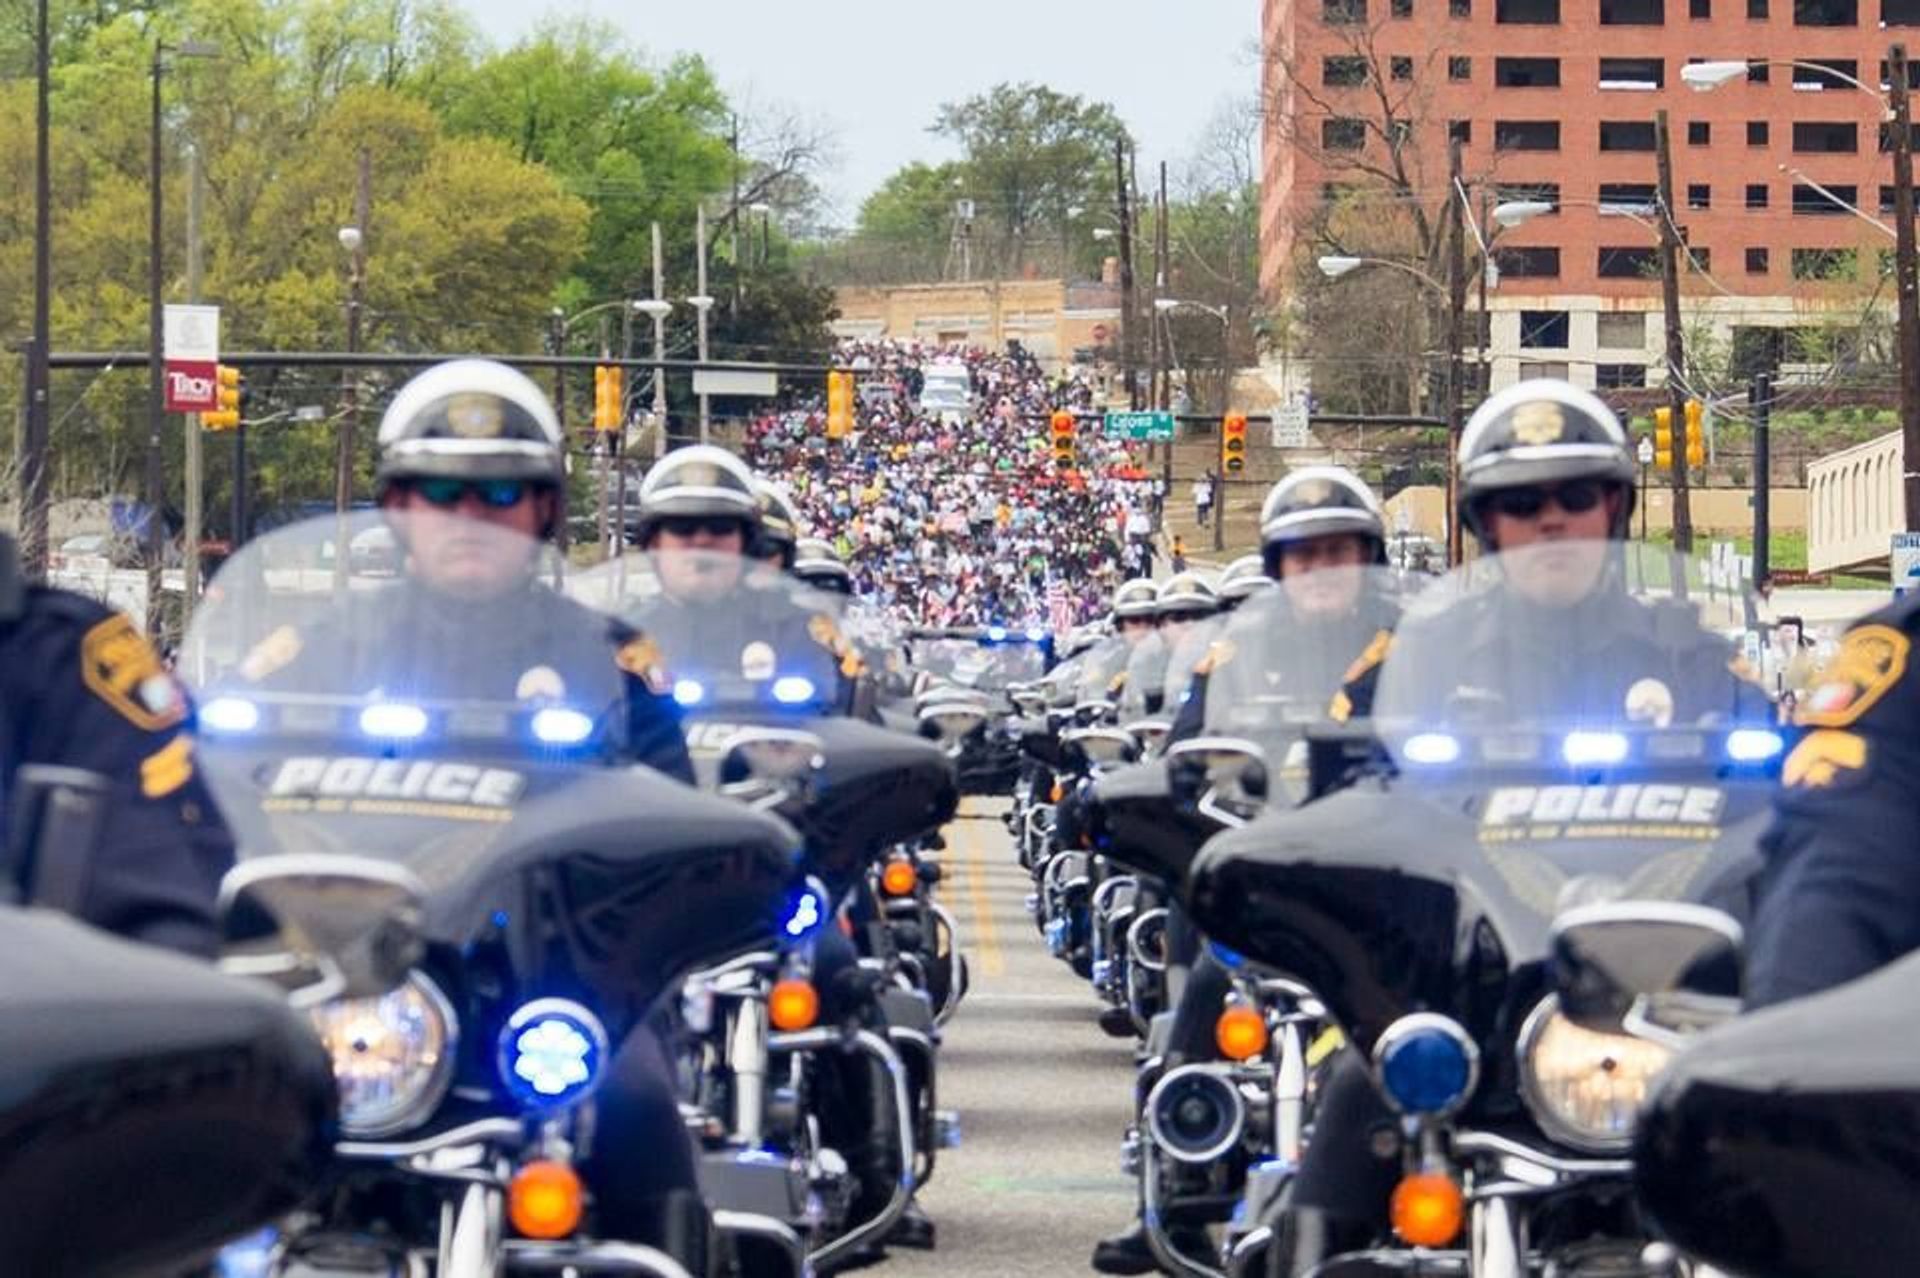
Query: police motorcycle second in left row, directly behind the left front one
x=815, y=1062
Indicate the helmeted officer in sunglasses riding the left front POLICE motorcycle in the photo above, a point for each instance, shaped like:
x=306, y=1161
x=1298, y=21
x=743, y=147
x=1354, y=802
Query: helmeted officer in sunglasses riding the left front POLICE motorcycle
x=471, y=481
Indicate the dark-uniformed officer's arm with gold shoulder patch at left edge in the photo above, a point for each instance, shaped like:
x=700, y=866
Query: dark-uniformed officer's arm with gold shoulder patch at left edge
x=82, y=688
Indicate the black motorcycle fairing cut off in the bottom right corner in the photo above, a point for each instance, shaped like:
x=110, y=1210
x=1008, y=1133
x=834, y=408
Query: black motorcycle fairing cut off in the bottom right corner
x=1787, y=1145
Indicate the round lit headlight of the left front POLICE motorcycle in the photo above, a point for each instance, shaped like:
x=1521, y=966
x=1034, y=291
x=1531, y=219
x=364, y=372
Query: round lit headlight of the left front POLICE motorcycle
x=393, y=1056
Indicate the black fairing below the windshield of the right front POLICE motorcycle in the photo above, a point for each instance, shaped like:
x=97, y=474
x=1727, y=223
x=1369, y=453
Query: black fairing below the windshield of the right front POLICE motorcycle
x=1385, y=899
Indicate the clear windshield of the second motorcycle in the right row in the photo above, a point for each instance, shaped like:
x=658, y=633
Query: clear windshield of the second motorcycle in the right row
x=1284, y=657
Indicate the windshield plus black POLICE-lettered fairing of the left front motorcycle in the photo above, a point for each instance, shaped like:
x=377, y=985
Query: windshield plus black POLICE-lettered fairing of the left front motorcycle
x=450, y=711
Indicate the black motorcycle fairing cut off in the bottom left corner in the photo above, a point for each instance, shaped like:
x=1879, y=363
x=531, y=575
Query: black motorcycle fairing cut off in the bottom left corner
x=151, y=1108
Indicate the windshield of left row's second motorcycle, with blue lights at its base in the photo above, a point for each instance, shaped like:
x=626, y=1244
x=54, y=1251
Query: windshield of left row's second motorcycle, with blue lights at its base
x=729, y=634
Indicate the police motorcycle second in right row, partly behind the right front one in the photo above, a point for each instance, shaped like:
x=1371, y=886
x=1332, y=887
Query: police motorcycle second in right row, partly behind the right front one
x=1224, y=1124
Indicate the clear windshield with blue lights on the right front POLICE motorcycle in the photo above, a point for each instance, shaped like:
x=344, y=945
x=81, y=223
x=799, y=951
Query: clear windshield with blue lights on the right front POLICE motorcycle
x=1572, y=655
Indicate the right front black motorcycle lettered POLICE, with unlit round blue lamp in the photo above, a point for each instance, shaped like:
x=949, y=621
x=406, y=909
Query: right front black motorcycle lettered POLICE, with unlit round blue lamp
x=1502, y=784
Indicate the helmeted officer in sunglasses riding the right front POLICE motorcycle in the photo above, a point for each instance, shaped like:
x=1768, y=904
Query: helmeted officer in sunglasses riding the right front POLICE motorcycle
x=1547, y=483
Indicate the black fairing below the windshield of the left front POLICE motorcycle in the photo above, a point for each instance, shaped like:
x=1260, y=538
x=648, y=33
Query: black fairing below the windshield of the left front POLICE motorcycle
x=636, y=878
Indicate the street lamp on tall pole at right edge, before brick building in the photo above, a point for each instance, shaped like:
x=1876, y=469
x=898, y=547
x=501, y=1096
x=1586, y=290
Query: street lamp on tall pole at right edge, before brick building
x=1898, y=114
